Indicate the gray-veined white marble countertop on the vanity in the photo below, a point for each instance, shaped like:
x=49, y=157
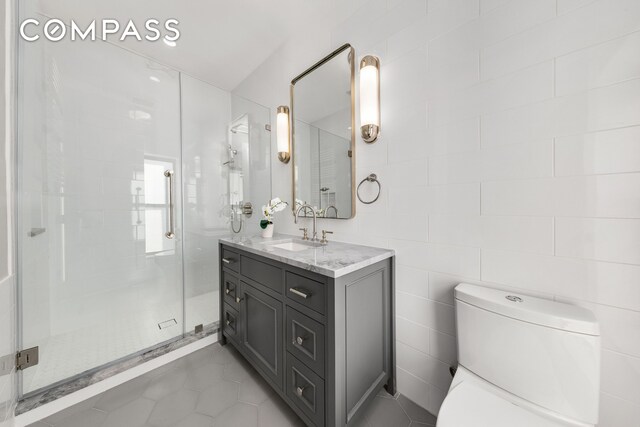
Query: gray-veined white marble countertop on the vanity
x=333, y=260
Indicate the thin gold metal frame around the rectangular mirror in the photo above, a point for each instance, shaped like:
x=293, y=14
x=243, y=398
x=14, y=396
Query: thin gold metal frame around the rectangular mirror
x=352, y=55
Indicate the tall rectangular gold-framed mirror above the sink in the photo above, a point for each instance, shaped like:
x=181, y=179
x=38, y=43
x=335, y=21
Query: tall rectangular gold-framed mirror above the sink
x=323, y=137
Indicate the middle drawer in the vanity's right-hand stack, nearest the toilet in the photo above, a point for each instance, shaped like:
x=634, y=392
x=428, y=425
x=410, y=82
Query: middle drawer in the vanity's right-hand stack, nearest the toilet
x=305, y=340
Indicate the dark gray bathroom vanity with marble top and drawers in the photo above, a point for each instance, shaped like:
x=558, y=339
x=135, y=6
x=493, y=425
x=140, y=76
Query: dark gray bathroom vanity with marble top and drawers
x=317, y=322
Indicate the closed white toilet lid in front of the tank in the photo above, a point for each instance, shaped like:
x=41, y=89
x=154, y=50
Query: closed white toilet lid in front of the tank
x=470, y=405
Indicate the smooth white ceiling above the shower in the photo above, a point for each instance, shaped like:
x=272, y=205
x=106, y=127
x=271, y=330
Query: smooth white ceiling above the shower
x=221, y=42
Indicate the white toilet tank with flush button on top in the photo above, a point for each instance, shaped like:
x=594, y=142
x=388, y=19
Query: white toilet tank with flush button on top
x=539, y=350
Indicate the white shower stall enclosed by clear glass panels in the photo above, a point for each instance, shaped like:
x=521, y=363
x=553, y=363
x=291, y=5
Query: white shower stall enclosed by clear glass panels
x=123, y=192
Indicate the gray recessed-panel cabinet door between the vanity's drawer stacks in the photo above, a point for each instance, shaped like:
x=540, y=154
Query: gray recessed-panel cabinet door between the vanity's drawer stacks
x=262, y=323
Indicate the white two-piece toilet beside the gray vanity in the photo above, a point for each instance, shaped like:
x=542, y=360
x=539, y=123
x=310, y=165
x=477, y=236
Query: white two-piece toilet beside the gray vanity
x=523, y=362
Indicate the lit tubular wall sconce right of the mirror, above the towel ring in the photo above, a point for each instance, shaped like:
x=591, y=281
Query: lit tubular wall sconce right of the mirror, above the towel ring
x=370, y=98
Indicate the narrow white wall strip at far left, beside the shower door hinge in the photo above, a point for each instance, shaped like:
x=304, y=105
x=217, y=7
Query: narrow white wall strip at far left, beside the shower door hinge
x=8, y=388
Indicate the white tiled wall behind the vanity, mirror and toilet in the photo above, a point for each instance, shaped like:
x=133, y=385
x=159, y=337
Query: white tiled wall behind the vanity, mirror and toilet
x=509, y=156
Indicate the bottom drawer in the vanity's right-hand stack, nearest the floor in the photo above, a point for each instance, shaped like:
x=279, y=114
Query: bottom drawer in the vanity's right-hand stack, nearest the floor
x=305, y=389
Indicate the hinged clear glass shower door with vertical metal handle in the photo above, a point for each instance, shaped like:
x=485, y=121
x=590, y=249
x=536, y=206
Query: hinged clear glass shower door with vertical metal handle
x=100, y=239
